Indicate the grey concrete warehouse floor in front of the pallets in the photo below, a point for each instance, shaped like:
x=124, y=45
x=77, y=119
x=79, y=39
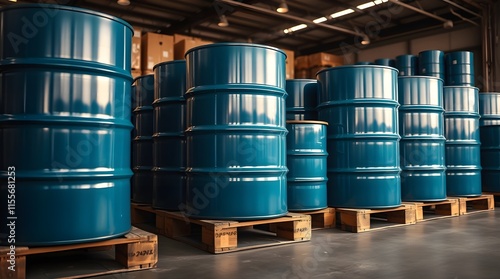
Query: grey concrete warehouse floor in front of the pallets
x=460, y=247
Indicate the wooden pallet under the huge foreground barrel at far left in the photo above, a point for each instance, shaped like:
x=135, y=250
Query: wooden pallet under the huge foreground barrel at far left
x=136, y=250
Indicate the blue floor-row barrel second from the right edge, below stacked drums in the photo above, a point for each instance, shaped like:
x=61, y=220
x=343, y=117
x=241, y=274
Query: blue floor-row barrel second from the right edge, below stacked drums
x=463, y=147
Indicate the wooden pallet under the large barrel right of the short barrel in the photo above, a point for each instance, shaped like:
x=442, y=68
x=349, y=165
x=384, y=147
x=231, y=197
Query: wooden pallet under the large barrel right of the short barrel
x=361, y=220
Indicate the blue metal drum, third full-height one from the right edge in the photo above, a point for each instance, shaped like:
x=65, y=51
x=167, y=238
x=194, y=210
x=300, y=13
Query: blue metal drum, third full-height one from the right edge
x=421, y=123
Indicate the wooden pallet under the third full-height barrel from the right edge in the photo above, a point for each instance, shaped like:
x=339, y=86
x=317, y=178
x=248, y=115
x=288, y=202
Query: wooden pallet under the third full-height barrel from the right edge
x=436, y=210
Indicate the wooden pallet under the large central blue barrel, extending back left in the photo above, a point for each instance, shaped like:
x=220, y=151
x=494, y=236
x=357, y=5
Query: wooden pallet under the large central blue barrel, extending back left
x=222, y=236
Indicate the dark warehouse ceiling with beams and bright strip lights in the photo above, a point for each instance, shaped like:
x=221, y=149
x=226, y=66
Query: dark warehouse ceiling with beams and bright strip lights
x=309, y=25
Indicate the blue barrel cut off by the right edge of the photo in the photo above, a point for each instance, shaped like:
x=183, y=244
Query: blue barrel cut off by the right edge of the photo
x=489, y=109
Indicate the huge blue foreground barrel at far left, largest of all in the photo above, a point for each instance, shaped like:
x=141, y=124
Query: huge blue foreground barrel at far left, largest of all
x=64, y=124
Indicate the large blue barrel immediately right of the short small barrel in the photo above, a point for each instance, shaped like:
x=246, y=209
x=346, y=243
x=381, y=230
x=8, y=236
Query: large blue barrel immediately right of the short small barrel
x=360, y=105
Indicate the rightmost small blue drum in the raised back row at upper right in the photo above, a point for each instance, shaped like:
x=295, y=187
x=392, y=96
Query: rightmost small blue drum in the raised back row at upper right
x=459, y=68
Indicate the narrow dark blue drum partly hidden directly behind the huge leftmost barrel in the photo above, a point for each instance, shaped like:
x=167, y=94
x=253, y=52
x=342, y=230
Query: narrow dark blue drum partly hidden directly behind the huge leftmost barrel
x=142, y=143
